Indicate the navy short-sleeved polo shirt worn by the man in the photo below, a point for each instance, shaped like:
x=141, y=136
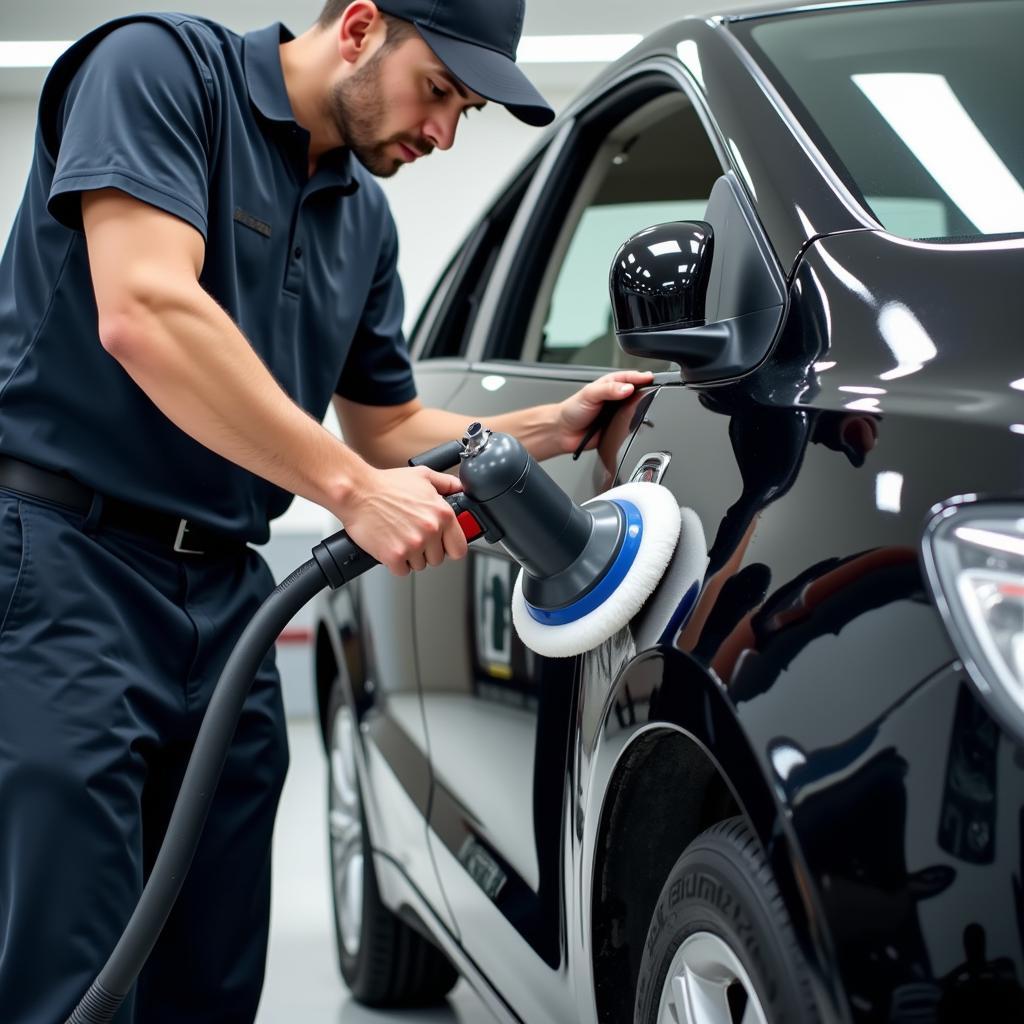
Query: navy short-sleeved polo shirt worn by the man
x=194, y=119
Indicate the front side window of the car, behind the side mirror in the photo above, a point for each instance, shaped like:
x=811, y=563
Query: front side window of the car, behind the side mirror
x=657, y=166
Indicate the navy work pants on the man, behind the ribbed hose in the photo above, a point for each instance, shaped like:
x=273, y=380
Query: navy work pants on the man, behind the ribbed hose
x=110, y=649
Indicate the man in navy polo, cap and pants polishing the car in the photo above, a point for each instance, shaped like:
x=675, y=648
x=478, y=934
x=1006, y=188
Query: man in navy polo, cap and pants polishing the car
x=201, y=262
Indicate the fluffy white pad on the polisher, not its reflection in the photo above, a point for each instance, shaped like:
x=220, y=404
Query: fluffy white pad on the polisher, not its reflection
x=661, y=518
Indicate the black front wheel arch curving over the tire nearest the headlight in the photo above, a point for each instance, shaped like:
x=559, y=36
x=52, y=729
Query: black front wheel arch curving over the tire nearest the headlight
x=680, y=771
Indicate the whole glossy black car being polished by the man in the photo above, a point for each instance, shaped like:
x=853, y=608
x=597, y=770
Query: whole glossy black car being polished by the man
x=795, y=791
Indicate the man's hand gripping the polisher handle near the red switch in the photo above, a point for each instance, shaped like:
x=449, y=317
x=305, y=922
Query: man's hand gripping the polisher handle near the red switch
x=401, y=518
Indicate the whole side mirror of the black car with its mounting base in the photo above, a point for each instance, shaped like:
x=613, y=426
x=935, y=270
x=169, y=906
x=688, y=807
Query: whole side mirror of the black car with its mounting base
x=707, y=295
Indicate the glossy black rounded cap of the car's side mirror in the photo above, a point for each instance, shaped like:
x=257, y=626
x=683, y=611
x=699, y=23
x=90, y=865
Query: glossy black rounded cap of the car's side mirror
x=660, y=277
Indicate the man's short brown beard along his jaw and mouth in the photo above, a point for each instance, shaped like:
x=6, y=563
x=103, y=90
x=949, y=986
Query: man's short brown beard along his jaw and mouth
x=358, y=109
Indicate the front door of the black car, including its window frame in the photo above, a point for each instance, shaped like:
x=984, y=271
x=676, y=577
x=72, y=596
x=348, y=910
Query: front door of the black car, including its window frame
x=498, y=717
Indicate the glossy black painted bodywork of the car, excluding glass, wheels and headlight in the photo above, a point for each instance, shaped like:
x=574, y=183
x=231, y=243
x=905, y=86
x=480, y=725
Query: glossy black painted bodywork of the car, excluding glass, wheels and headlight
x=528, y=810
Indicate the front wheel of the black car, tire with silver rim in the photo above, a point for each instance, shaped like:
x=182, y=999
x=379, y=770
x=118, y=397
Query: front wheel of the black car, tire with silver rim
x=721, y=949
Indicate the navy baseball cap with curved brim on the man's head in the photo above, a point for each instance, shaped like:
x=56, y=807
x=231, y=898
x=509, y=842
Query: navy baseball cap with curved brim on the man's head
x=477, y=40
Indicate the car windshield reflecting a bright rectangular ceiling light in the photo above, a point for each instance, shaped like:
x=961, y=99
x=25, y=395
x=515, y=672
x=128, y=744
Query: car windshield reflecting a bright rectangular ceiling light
x=918, y=107
